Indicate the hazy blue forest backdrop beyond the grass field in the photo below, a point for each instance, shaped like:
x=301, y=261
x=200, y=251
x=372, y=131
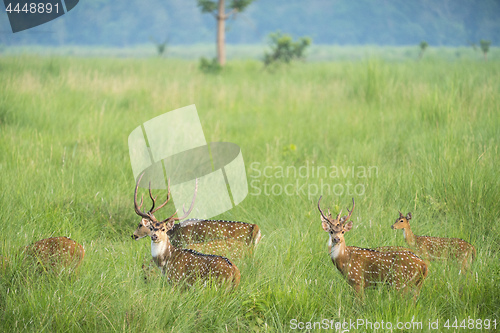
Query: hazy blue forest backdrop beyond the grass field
x=343, y=22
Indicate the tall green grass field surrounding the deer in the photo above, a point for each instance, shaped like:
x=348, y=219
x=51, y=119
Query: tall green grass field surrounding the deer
x=426, y=133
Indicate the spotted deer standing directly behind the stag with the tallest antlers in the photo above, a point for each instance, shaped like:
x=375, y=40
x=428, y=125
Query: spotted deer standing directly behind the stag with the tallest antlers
x=229, y=238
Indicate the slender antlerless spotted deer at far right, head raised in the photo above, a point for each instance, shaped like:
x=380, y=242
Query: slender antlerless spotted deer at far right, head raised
x=436, y=248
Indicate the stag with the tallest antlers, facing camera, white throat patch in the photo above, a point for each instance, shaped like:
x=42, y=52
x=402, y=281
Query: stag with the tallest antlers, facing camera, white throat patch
x=182, y=265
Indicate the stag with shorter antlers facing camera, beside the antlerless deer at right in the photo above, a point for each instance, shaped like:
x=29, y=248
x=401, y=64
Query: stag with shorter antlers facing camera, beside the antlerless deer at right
x=367, y=267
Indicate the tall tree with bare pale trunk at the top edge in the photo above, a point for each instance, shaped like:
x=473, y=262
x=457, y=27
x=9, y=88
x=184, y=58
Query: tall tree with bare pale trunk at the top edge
x=220, y=11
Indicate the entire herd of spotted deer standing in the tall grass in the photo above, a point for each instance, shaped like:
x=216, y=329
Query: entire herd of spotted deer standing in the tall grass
x=203, y=251
